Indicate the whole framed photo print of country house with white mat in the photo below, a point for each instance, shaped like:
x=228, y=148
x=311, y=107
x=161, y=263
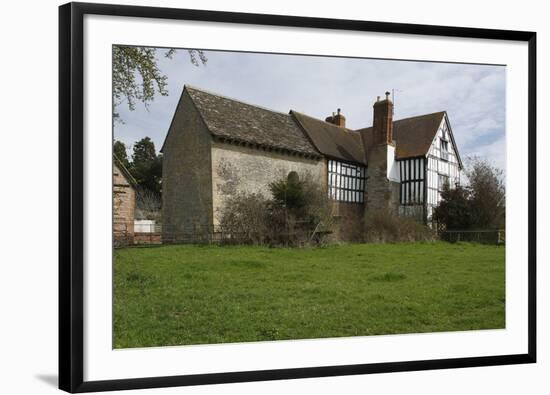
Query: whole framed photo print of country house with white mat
x=250, y=197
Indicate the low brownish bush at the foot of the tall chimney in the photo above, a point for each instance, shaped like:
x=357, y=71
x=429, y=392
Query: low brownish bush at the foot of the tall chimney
x=382, y=226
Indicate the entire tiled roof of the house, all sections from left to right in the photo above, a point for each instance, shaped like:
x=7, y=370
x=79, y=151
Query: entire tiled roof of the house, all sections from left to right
x=237, y=121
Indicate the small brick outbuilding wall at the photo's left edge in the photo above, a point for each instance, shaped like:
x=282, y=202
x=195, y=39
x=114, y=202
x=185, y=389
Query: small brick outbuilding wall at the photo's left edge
x=124, y=206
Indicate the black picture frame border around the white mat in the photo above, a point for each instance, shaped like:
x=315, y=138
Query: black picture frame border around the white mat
x=71, y=205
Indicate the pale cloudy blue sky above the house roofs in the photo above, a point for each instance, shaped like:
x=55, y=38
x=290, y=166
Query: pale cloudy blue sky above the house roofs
x=472, y=95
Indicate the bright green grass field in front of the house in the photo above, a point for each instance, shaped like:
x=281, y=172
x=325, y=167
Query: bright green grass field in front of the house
x=187, y=294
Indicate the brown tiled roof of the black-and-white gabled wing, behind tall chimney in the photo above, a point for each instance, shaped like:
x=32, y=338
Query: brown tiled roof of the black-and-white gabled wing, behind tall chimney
x=413, y=136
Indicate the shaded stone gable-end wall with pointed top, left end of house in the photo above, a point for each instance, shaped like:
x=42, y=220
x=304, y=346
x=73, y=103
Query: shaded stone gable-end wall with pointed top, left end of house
x=186, y=177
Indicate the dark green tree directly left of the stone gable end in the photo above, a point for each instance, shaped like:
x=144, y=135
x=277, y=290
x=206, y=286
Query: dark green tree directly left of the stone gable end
x=146, y=165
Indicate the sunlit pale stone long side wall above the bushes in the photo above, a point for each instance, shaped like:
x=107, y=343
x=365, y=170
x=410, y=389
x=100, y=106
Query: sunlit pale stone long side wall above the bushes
x=245, y=169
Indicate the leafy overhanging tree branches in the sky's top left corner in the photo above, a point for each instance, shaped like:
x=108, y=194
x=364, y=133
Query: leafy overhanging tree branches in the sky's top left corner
x=137, y=77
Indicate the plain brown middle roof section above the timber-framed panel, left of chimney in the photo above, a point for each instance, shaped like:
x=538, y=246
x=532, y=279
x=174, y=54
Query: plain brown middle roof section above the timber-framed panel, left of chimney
x=331, y=140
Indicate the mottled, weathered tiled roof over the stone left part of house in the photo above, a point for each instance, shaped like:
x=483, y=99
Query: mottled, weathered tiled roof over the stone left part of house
x=242, y=122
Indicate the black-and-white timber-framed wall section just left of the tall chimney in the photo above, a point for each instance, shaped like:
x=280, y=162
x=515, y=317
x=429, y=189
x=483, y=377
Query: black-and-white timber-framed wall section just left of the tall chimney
x=346, y=182
